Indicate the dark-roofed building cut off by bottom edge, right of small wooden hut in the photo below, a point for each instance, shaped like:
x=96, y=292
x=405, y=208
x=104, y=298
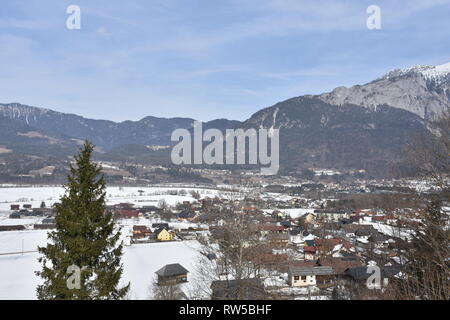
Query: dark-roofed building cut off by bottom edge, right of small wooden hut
x=244, y=289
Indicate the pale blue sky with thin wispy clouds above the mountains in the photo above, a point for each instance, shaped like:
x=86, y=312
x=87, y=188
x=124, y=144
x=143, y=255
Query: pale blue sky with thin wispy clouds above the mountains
x=205, y=59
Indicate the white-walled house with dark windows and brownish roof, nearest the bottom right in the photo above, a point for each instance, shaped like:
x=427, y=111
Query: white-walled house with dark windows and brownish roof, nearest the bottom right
x=299, y=276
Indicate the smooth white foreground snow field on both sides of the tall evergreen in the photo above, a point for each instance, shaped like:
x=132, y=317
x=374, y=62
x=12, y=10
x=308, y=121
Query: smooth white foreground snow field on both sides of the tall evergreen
x=18, y=279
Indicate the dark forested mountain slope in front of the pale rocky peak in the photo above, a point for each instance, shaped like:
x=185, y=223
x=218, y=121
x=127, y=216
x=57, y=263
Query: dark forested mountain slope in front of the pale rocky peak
x=314, y=133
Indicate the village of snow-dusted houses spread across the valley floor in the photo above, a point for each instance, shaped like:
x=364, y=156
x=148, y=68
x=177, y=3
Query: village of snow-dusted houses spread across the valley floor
x=291, y=246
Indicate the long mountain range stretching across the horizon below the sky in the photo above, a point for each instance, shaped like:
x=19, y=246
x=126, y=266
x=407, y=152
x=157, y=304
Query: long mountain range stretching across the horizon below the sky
x=361, y=127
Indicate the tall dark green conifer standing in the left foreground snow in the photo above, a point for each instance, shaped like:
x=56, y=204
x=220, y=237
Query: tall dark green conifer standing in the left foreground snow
x=85, y=237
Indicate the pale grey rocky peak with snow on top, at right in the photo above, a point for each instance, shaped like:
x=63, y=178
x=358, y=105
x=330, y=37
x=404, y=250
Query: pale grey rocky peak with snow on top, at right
x=423, y=90
